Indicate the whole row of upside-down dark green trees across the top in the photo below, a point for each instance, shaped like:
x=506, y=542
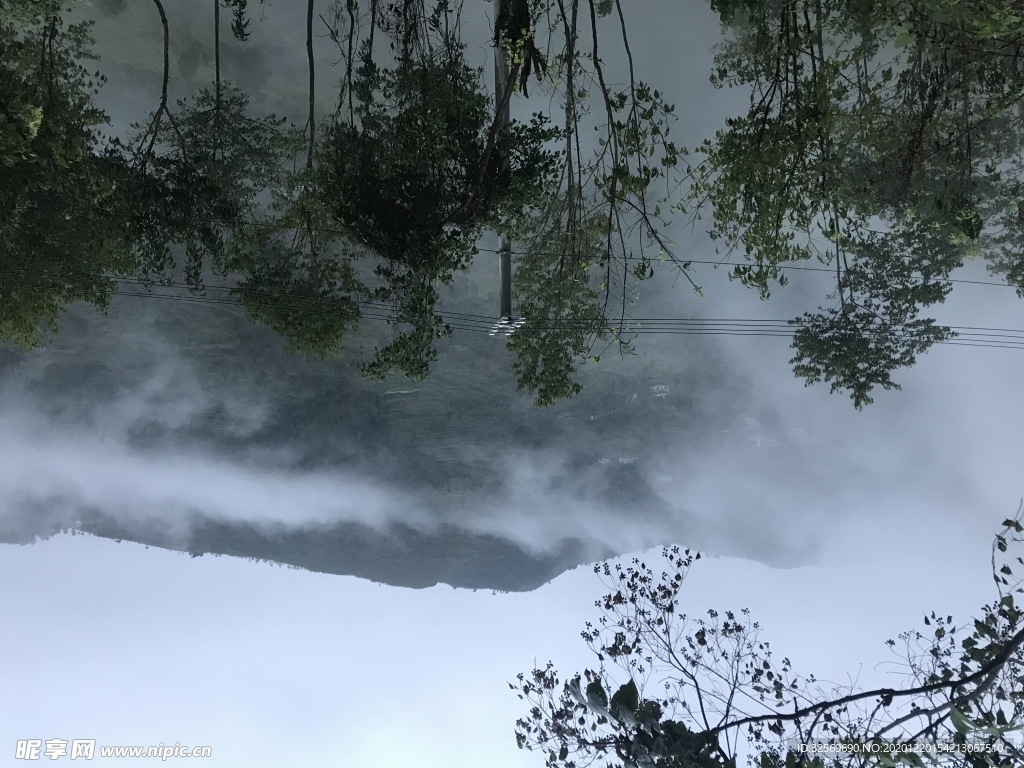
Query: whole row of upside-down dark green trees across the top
x=882, y=140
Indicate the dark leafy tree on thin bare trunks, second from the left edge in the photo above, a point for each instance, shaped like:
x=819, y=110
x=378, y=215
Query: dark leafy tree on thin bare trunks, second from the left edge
x=197, y=172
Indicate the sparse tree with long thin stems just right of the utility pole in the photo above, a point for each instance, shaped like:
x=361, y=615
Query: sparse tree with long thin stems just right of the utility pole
x=596, y=234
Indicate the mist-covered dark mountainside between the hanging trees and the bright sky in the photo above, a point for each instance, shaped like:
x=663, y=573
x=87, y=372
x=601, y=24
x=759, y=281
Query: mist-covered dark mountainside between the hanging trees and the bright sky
x=186, y=426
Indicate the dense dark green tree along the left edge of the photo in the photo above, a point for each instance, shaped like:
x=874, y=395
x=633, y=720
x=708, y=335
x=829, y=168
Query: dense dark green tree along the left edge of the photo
x=61, y=235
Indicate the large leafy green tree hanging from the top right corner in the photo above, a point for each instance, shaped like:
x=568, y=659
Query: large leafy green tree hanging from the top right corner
x=881, y=141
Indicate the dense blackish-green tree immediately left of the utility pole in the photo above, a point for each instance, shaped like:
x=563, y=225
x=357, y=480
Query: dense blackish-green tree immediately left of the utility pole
x=406, y=178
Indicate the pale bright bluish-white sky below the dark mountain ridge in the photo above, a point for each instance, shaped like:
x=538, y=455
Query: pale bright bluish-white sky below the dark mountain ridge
x=276, y=667
